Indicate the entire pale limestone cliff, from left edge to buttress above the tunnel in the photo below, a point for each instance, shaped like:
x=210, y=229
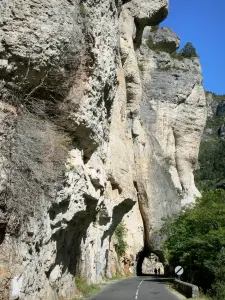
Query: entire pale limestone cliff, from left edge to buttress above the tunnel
x=96, y=128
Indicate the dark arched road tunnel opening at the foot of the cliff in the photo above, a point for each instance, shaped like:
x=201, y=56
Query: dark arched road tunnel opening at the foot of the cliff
x=148, y=264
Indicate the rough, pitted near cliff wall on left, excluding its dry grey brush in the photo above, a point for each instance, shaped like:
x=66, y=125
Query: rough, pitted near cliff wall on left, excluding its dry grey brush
x=67, y=59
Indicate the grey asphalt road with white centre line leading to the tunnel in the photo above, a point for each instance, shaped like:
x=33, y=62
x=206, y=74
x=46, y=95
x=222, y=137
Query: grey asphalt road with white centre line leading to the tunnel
x=137, y=288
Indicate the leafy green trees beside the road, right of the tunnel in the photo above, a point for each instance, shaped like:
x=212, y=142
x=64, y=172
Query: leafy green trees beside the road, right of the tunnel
x=196, y=240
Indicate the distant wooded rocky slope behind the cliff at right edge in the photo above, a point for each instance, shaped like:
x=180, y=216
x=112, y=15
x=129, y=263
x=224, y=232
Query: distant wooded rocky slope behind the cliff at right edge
x=210, y=173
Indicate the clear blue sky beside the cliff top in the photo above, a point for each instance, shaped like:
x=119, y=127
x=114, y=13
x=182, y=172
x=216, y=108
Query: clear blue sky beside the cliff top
x=202, y=22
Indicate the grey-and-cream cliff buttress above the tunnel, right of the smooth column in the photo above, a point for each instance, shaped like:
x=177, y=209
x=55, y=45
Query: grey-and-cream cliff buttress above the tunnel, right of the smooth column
x=173, y=114
